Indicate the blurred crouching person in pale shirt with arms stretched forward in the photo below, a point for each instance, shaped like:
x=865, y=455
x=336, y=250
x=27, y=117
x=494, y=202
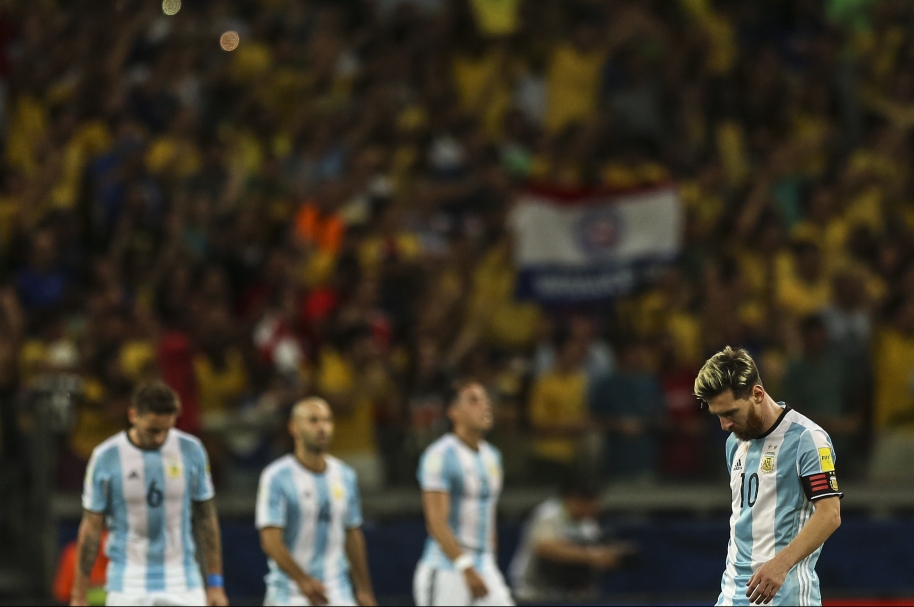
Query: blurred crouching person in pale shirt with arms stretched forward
x=564, y=548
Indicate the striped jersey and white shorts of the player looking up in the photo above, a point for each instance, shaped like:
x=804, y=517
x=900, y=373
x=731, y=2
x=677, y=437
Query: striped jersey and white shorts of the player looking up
x=473, y=481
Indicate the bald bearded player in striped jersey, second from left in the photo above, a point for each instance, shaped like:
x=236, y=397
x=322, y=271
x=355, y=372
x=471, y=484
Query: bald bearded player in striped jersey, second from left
x=310, y=518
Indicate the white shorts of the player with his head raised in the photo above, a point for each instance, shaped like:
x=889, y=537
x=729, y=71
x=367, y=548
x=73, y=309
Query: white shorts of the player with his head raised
x=448, y=587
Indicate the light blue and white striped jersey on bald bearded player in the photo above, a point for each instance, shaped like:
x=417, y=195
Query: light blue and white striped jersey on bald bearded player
x=314, y=511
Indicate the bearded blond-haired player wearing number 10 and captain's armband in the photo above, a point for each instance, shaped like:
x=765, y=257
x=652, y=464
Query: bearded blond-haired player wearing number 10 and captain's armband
x=785, y=498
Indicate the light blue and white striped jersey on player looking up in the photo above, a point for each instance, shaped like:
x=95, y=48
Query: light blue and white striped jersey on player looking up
x=473, y=480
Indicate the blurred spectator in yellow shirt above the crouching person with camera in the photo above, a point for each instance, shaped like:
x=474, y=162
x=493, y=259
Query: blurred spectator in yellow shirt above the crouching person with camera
x=558, y=410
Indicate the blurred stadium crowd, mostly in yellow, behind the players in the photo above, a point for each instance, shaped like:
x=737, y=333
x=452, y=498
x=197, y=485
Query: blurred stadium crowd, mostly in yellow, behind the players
x=334, y=207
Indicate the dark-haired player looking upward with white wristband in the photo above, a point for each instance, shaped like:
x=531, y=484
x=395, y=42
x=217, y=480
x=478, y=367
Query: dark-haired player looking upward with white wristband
x=461, y=479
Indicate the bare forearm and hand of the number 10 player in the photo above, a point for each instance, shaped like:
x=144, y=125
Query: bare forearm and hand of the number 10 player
x=768, y=579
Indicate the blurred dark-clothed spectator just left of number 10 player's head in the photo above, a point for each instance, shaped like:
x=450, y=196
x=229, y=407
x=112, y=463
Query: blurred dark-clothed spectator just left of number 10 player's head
x=630, y=405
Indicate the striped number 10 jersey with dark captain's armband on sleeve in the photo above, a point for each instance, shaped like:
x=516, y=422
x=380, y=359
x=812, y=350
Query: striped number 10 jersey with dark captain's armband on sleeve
x=774, y=480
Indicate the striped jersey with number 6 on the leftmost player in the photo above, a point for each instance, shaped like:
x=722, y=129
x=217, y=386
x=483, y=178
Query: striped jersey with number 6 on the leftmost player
x=146, y=496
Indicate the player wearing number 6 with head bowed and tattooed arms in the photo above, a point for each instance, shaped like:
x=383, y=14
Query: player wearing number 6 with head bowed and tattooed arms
x=151, y=486
